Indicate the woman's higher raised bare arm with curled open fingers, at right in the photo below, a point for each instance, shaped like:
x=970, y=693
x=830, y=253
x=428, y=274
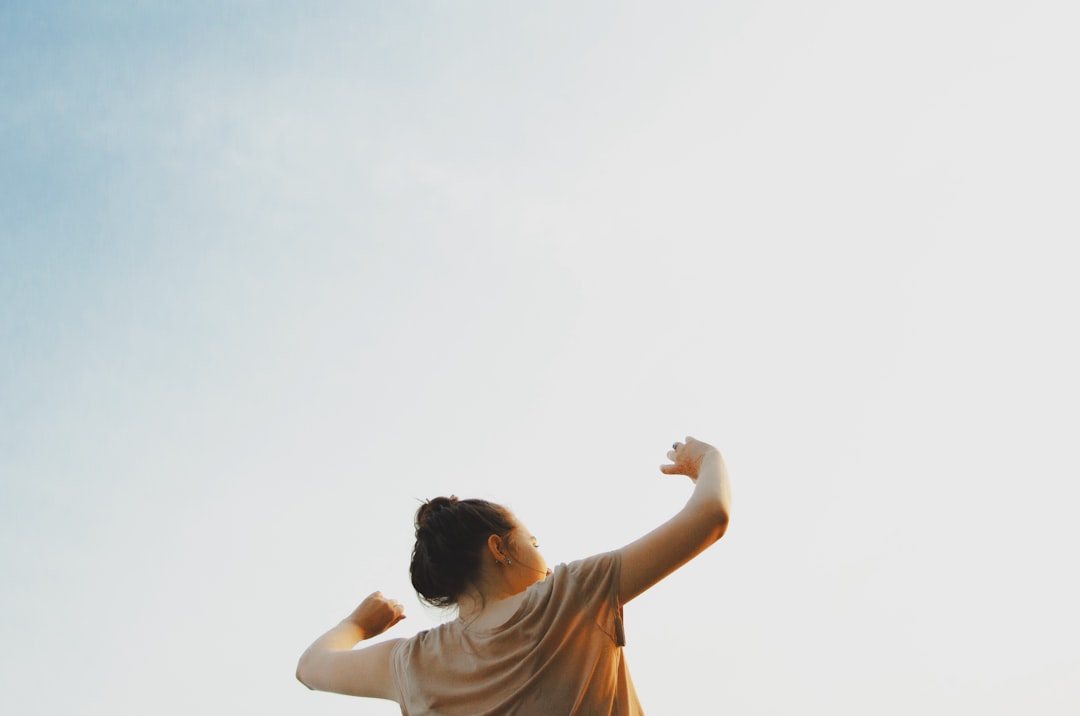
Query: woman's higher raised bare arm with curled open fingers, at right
x=704, y=521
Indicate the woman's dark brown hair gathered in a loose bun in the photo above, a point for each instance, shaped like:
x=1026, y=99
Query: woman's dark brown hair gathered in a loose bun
x=450, y=538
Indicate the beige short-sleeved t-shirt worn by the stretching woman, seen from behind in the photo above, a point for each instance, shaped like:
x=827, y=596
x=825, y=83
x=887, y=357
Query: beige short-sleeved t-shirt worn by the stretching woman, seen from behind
x=560, y=654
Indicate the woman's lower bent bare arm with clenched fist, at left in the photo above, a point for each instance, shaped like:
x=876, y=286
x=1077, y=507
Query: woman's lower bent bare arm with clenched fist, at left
x=332, y=665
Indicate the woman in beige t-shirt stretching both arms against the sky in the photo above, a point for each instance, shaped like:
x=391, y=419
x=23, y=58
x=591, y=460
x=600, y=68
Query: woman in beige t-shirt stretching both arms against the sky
x=529, y=640
